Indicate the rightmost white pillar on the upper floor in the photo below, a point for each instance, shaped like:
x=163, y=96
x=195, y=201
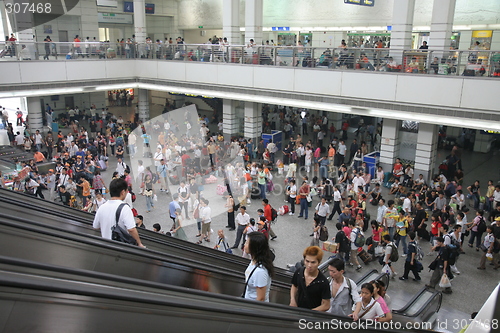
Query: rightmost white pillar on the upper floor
x=443, y=13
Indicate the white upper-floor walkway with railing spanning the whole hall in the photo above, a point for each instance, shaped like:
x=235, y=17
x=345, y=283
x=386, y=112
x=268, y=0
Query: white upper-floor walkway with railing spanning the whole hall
x=408, y=90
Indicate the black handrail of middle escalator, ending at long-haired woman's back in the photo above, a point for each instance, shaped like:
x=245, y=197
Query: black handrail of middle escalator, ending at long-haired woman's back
x=99, y=242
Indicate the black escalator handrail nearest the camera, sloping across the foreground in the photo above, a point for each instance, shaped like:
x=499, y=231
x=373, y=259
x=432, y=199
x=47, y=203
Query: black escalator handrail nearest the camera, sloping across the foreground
x=64, y=285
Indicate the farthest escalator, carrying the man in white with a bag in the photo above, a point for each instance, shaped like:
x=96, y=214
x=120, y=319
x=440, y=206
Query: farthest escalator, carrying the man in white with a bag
x=74, y=220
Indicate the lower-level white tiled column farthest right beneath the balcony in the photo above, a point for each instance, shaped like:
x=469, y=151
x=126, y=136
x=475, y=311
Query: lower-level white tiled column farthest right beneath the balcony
x=426, y=153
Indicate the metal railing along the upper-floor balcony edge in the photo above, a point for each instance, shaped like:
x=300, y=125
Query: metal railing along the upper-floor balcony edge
x=433, y=62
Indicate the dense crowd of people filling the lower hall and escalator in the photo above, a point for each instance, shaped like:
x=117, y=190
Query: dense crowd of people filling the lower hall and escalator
x=178, y=155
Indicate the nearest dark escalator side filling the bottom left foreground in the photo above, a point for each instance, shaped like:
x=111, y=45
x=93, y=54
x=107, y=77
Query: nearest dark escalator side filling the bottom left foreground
x=44, y=298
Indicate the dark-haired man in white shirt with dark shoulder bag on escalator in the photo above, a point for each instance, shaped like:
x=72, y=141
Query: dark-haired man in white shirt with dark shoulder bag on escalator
x=105, y=217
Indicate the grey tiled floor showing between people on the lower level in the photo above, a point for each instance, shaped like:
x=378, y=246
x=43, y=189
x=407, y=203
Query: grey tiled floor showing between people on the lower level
x=470, y=289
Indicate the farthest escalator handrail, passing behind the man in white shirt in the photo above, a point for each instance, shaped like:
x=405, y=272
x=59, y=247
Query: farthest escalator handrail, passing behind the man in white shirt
x=147, y=235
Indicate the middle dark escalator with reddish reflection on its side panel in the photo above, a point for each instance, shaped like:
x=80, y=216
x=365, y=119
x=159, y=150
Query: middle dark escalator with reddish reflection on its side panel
x=24, y=239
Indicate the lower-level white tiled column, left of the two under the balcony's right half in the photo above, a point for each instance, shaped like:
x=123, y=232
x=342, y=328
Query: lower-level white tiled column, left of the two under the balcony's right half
x=389, y=147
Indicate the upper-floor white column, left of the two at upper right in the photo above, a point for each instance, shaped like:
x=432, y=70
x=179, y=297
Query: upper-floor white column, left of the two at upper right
x=402, y=26
